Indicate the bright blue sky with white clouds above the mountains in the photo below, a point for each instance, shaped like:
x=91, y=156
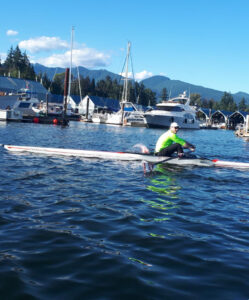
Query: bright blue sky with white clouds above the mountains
x=203, y=42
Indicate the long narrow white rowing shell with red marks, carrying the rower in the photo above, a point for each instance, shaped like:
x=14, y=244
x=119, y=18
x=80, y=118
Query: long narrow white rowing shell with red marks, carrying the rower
x=126, y=156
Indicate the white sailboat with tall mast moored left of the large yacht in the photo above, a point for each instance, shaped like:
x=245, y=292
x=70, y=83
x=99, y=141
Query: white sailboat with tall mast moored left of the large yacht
x=128, y=112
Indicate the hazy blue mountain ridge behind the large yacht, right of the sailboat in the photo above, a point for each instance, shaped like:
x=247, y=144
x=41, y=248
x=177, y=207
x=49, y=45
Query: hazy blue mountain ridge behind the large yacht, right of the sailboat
x=176, y=87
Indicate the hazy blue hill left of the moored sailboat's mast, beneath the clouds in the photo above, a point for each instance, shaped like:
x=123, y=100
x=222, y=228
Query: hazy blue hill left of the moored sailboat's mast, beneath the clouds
x=92, y=74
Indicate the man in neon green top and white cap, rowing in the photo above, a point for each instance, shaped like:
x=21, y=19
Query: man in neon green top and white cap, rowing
x=170, y=142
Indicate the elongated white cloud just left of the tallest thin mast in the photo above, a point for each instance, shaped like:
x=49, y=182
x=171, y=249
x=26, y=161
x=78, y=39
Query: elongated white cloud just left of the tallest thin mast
x=43, y=43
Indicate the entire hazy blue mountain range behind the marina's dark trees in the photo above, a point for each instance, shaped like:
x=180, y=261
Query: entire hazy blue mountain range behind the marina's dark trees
x=155, y=83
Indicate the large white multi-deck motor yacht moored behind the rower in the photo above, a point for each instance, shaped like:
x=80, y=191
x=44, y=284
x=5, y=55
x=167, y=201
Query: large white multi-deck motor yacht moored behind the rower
x=176, y=109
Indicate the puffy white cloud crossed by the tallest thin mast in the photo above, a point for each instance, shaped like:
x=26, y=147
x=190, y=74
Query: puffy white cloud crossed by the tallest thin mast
x=87, y=57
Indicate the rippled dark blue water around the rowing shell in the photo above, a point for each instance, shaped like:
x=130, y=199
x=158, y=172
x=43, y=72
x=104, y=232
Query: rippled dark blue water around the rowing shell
x=92, y=229
